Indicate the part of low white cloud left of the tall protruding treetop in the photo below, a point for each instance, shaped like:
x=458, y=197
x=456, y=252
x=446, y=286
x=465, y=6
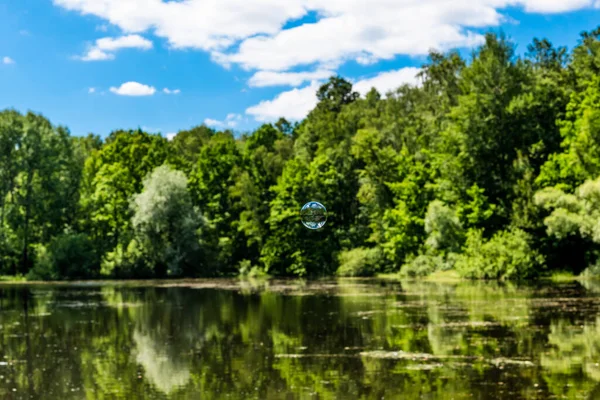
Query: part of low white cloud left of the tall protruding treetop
x=292, y=105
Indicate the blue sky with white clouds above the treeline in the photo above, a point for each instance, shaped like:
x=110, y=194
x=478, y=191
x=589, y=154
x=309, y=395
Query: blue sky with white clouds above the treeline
x=100, y=65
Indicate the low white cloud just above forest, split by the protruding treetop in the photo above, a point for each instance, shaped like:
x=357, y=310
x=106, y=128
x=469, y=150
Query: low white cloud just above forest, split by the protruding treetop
x=295, y=104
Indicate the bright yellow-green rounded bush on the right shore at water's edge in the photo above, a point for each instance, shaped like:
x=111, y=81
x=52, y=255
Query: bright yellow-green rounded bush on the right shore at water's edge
x=507, y=255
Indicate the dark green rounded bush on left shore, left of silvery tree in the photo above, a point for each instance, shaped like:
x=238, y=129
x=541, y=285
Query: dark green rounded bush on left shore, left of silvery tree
x=68, y=256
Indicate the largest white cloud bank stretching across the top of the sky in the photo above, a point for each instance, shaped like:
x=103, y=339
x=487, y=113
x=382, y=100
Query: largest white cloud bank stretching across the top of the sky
x=251, y=32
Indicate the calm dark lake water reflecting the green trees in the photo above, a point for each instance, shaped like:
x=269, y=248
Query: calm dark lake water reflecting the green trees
x=296, y=340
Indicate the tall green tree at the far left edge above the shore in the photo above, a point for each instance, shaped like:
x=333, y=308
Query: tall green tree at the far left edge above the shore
x=36, y=198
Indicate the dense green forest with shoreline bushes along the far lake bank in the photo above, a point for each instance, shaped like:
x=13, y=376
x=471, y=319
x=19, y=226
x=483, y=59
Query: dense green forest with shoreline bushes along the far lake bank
x=490, y=167
